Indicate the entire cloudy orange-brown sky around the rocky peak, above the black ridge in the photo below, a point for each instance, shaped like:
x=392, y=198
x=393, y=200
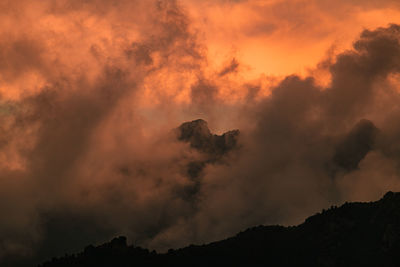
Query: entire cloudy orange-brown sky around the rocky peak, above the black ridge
x=92, y=92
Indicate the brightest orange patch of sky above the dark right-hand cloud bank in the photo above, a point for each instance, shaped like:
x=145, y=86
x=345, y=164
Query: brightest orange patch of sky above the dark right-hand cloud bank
x=282, y=37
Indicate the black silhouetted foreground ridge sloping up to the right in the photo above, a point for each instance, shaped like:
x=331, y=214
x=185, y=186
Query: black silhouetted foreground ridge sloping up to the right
x=355, y=234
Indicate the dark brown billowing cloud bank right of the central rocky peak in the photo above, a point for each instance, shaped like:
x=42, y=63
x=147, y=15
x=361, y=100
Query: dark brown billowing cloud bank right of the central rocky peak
x=299, y=132
